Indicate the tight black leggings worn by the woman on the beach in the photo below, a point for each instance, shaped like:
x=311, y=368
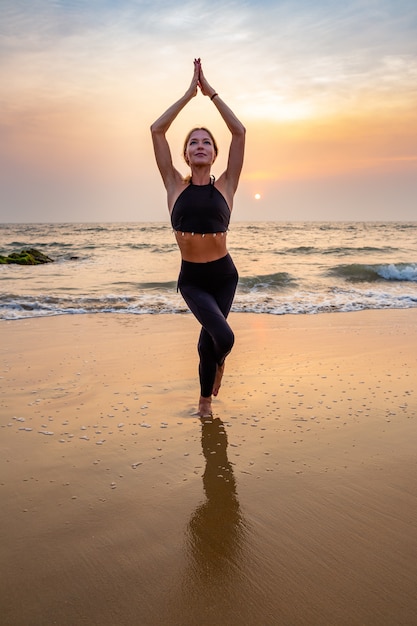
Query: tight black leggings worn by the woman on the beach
x=209, y=289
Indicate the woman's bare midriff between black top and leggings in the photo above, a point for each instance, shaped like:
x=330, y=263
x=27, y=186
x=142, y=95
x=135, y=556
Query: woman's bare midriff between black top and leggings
x=197, y=248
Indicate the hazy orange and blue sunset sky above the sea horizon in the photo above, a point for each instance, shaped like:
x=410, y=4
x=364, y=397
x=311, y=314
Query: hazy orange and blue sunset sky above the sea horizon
x=327, y=91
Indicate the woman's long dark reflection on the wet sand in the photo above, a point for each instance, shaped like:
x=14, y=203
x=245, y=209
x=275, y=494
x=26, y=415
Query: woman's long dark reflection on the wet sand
x=214, y=581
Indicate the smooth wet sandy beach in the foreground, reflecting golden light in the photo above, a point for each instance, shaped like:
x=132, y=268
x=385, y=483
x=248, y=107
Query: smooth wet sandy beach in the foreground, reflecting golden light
x=296, y=504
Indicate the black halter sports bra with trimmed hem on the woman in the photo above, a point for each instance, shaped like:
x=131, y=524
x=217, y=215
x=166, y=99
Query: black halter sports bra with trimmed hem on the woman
x=200, y=209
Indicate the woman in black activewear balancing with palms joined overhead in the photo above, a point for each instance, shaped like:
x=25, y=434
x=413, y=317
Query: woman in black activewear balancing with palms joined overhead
x=200, y=208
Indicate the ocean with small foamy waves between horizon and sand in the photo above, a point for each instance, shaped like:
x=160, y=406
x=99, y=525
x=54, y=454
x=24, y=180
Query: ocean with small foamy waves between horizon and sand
x=284, y=268
